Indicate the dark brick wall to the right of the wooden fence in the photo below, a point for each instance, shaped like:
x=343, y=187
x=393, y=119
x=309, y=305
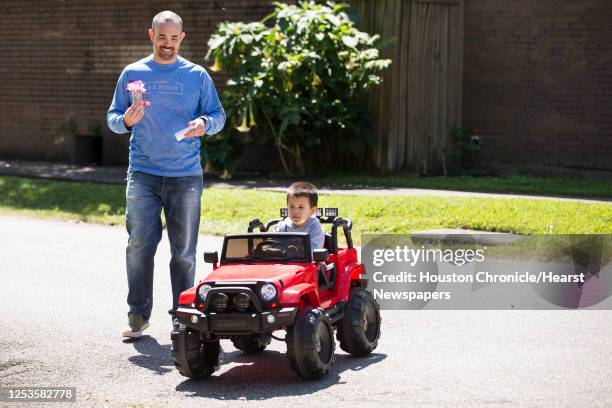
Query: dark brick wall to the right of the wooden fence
x=538, y=81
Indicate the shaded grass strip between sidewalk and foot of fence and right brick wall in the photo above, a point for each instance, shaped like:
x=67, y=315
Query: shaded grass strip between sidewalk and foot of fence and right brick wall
x=486, y=184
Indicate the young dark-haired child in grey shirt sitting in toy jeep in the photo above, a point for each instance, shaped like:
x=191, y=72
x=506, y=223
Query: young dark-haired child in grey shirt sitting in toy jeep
x=302, y=200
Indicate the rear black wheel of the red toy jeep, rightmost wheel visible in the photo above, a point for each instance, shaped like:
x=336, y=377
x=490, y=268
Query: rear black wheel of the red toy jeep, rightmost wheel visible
x=359, y=329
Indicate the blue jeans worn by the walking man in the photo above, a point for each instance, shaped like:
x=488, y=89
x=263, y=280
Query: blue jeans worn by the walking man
x=180, y=198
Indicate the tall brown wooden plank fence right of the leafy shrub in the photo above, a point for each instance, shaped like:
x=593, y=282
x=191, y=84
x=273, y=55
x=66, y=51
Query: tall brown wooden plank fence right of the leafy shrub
x=420, y=100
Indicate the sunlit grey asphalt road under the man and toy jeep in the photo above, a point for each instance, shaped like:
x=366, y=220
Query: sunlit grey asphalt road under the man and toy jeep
x=62, y=308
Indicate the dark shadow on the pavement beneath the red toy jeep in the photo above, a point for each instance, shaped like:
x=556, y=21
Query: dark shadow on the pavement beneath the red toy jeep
x=267, y=375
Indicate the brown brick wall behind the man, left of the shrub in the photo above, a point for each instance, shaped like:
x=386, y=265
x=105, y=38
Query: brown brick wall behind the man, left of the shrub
x=62, y=60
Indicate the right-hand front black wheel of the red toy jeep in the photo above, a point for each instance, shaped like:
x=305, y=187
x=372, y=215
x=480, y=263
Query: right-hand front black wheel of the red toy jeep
x=310, y=344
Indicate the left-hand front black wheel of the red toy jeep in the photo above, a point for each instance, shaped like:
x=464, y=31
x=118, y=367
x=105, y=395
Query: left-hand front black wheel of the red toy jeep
x=193, y=357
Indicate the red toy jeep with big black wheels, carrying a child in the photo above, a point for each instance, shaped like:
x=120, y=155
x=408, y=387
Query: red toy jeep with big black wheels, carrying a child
x=268, y=281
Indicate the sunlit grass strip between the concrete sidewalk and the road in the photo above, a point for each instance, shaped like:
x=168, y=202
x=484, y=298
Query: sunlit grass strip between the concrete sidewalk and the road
x=228, y=210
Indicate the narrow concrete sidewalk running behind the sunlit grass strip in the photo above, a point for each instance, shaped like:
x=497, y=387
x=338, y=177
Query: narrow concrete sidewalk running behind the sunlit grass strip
x=117, y=175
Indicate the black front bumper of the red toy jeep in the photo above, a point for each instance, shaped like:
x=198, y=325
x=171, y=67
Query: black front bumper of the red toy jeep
x=236, y=323
